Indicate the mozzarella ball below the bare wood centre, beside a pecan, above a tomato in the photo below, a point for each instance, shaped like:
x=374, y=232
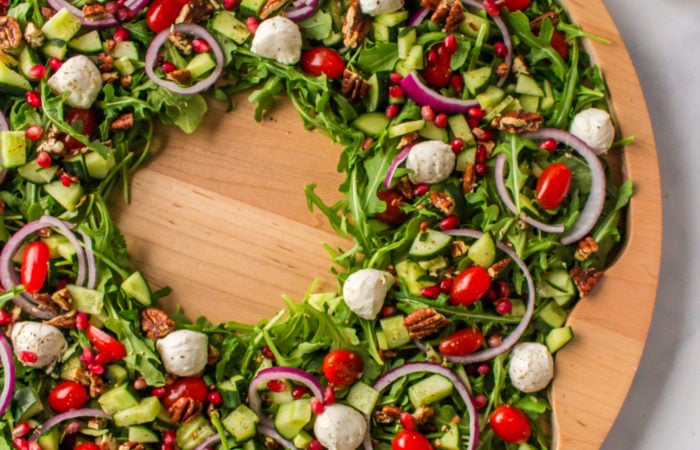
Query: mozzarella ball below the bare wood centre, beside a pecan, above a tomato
x=184, y=352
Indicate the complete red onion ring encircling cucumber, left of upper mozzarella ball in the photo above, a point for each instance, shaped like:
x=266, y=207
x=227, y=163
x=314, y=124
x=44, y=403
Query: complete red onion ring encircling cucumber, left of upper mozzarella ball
x=194, y=30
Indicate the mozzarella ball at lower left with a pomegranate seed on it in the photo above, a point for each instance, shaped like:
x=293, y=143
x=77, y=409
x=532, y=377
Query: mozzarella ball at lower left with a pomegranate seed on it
x=45, y=341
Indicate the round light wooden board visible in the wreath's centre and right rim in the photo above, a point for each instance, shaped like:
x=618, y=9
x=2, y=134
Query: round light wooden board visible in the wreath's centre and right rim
x=220, y=216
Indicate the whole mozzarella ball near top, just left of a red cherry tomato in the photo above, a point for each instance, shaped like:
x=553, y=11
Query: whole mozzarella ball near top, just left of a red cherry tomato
x=278, y=38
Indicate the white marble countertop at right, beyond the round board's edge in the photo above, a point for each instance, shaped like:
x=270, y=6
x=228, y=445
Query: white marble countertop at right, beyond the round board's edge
x=662, y=410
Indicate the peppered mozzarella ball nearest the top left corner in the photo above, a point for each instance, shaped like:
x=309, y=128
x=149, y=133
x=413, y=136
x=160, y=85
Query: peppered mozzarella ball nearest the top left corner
x=81, y=78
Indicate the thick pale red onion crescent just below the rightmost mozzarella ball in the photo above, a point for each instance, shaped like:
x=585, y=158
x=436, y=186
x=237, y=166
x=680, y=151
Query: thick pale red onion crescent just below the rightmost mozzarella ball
x=596, y=197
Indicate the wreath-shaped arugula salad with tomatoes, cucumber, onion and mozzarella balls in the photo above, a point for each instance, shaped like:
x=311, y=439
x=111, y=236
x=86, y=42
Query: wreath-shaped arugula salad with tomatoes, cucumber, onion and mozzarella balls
x=475, y=199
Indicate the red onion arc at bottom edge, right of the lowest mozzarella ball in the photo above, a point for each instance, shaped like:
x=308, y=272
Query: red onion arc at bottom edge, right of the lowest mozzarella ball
x=418, y=367
